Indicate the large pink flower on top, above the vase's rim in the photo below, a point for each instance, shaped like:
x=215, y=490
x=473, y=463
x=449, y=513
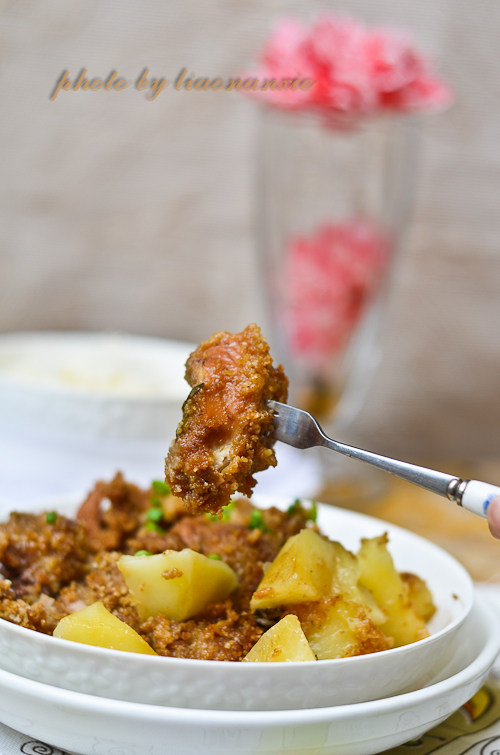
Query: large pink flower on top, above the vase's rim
x=357, y=71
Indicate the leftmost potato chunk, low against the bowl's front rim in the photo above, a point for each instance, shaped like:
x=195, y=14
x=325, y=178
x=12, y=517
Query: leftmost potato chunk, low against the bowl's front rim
x=95, y=625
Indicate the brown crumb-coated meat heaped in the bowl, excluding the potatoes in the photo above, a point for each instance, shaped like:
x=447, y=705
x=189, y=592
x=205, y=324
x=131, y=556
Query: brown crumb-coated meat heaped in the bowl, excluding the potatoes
x=38, y=588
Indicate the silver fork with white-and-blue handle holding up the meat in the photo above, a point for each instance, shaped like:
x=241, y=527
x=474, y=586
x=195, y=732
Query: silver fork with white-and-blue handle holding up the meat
x=299, y=429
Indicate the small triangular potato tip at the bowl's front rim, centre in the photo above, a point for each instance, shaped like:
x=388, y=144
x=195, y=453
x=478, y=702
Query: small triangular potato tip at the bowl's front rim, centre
x=285, y=641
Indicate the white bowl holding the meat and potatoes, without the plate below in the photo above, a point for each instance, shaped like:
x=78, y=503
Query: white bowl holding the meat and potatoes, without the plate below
x=220, y=685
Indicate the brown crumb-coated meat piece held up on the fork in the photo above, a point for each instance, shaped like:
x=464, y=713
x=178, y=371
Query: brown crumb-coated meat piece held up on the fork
x=225, y=435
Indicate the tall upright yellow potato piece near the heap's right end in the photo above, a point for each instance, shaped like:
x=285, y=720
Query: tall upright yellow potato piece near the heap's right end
x=379, y=575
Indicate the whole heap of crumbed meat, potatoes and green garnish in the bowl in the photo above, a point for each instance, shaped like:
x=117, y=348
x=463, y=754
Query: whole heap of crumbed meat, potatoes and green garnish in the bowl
x=203, y=587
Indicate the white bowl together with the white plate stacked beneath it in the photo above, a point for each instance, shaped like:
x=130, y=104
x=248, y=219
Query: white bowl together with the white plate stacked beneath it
x=91, y=700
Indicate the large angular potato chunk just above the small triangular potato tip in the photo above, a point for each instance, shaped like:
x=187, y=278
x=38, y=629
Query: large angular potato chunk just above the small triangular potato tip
x=301, y=572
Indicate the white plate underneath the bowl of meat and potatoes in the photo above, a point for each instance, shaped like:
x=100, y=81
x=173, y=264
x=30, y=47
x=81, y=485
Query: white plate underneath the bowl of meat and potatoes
x=92, y=726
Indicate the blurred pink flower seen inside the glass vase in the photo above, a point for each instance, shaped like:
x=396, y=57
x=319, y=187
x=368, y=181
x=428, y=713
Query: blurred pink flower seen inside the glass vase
x=330, y=276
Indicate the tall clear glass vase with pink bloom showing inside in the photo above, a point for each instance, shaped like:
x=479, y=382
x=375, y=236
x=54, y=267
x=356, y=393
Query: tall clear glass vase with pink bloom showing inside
x=334, y=200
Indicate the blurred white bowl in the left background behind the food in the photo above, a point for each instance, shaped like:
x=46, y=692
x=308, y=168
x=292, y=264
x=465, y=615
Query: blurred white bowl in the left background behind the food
x=79, y=406
